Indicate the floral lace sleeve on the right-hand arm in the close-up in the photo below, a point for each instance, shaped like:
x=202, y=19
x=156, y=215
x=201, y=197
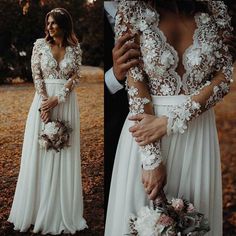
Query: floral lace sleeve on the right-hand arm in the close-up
x=213, y=90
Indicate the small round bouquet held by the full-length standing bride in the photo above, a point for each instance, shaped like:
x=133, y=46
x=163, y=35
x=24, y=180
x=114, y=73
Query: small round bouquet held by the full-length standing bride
x=55, y=135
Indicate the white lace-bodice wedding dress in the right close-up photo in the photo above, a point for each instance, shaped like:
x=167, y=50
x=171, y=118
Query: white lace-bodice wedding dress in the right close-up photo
x=190, y=150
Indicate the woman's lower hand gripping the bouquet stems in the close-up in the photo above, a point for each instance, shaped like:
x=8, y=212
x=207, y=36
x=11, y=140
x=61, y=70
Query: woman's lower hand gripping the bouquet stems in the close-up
x=154, y=181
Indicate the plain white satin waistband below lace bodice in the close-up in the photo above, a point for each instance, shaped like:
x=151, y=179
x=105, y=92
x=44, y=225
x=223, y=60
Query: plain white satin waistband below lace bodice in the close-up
x=168, y=100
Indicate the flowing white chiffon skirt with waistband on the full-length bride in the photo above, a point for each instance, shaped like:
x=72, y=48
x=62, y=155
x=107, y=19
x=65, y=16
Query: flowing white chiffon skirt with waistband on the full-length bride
x=49, y=191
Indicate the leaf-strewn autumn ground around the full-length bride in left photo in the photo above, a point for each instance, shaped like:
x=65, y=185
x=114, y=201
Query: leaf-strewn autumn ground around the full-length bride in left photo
x=14, y=106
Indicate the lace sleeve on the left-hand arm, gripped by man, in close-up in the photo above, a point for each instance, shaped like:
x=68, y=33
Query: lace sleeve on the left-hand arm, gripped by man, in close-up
x=138, y=93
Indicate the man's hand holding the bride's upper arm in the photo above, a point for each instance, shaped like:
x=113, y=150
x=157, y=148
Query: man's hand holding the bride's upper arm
x=125, y=55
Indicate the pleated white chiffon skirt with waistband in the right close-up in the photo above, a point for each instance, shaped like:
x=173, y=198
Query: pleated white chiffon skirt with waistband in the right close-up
x=193, y=171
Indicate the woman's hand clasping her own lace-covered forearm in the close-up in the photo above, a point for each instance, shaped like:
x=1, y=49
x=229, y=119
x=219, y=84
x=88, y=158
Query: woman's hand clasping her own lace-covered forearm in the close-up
x=148, y=129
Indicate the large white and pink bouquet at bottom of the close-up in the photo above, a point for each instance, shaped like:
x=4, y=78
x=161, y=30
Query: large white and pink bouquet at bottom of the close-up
x=177, y=217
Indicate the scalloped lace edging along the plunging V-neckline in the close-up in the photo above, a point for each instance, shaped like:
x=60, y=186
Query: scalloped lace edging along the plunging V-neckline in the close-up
x=172, y=49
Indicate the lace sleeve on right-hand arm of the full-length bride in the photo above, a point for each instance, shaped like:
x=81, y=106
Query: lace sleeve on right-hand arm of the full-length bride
x=70, y=84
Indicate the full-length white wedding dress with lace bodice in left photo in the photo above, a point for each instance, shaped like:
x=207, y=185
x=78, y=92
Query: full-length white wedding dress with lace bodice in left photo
x=49, y=191
